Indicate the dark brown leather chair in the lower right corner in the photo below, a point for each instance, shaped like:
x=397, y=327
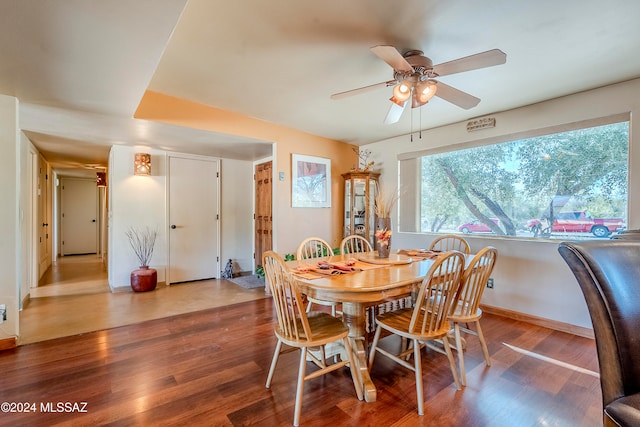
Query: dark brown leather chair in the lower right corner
x=608, y=273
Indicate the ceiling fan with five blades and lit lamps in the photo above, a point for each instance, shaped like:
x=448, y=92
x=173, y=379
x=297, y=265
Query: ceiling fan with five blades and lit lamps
x=414, y=78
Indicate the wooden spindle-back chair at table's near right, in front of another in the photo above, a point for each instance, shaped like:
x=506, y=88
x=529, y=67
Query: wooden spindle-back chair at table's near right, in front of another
x=426, y=321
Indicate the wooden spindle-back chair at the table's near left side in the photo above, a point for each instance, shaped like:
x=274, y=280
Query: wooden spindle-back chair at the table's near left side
x=296, y=330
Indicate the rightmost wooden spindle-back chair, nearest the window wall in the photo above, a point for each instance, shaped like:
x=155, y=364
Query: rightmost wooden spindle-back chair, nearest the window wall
x=466, y=309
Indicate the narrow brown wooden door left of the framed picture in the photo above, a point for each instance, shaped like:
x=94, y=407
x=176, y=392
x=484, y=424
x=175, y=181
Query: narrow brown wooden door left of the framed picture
x=263, y=217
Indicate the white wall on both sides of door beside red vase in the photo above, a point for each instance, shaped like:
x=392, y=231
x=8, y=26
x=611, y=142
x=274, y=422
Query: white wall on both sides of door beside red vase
x=142, y=201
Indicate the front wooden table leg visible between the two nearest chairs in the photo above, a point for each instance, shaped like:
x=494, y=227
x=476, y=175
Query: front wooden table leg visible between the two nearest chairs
x=353, y=314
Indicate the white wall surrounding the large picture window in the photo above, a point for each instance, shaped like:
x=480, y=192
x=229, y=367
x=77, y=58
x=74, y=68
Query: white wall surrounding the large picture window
x=530, y=276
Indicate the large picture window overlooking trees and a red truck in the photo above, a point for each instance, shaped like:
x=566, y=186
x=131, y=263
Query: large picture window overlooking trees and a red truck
x=571, y=184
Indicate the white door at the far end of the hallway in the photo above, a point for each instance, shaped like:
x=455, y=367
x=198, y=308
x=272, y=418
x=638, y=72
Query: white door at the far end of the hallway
x=79, y=216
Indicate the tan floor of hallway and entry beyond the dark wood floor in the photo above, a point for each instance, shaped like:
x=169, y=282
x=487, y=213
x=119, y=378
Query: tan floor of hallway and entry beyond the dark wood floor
x=74, y=298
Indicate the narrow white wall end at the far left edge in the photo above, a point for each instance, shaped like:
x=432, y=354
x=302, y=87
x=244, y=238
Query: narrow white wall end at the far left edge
x=10, y=211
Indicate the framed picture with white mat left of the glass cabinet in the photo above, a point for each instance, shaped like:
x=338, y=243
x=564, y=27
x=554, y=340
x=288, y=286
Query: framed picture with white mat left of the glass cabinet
x=310, y=182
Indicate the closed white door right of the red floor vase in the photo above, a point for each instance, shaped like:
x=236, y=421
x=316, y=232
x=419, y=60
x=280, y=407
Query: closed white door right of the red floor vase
x=193, y=219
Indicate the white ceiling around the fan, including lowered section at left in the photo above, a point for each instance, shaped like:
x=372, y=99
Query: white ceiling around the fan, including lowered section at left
x=80, y=67
